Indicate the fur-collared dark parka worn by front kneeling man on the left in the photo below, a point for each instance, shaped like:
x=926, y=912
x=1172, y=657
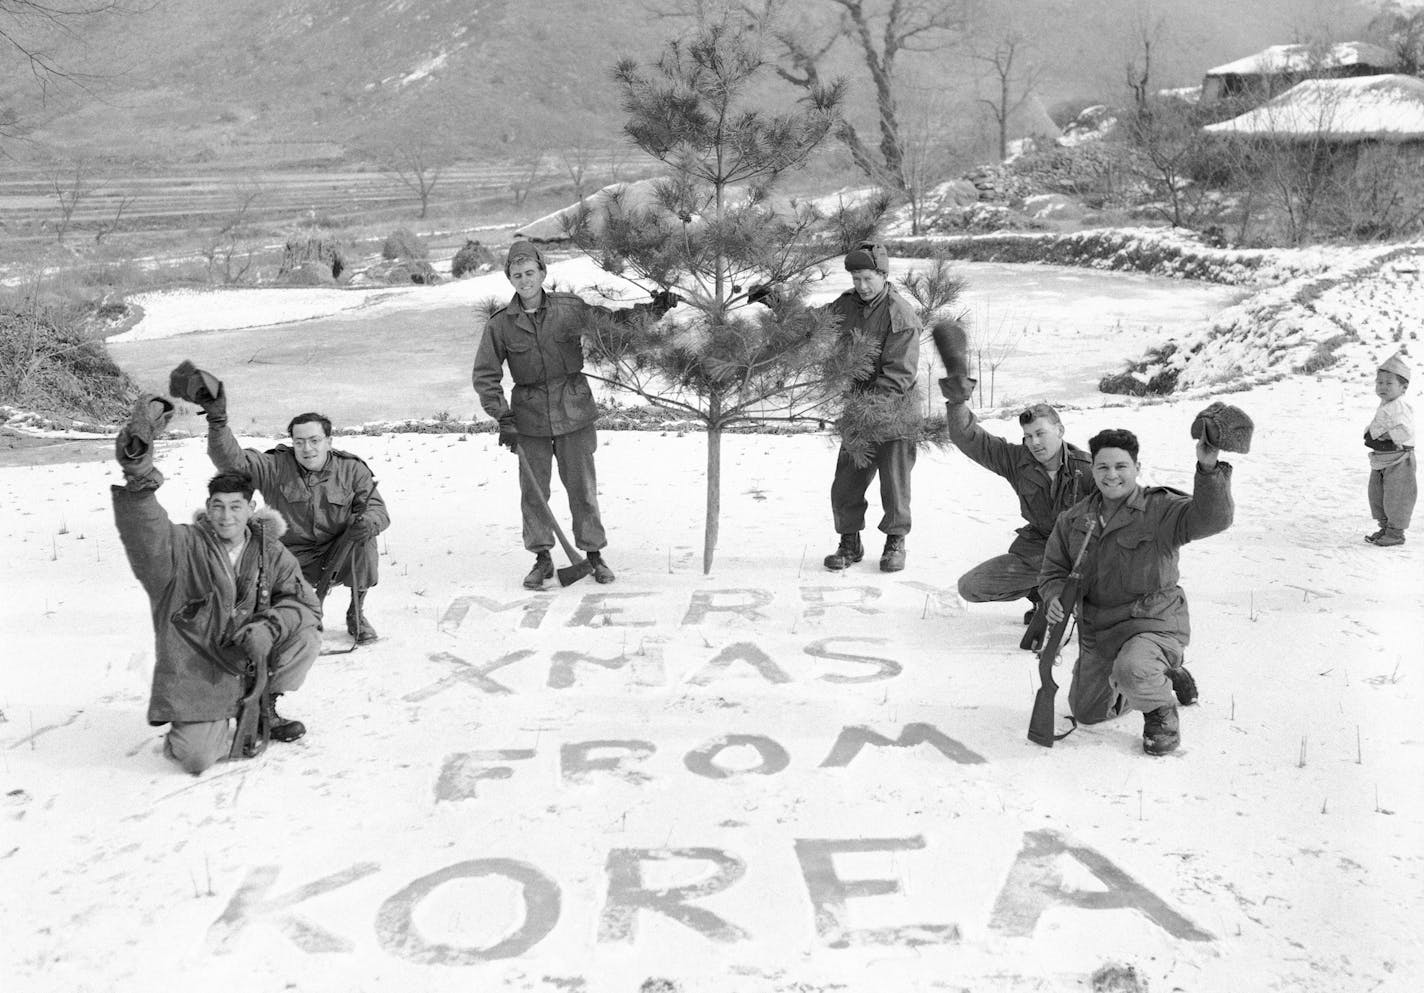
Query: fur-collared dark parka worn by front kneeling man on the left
x=199, y=602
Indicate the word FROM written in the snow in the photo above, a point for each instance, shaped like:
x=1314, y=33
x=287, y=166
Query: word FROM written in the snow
x=585, y=761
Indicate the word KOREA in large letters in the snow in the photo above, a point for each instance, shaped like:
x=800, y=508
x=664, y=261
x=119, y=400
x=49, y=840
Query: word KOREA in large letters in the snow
x=1033, y=887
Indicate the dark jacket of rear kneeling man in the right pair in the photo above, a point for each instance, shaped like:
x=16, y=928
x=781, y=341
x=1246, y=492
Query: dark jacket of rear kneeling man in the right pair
x=1042, y=498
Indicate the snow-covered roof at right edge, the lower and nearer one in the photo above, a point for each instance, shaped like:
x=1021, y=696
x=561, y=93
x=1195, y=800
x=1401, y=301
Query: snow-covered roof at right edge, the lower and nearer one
x=1361, y=109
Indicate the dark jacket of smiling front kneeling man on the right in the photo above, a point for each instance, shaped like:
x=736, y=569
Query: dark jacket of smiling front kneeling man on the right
x=1131, y=571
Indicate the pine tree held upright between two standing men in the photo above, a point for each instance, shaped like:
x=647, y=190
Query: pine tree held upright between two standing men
x=744, y=347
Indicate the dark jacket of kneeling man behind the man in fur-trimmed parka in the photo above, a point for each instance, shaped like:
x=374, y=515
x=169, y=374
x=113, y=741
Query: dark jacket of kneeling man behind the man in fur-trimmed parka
x=317, y=505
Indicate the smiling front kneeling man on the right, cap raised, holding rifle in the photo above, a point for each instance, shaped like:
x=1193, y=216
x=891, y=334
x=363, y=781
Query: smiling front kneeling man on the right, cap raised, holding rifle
x=1133, y=620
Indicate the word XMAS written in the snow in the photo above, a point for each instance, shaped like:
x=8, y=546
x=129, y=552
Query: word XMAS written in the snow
x=647, y=666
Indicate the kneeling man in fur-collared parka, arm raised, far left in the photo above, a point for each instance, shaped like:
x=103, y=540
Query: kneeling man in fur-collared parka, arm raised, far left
x=204, y=582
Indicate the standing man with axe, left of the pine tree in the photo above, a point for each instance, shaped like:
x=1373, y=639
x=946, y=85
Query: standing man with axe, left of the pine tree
x=550, y=414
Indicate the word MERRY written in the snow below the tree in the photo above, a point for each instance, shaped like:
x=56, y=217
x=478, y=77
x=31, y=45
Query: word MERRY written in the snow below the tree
x=630, y=609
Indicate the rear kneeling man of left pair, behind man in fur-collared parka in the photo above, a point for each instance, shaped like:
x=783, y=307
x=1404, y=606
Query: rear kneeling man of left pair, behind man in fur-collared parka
x=324, y=494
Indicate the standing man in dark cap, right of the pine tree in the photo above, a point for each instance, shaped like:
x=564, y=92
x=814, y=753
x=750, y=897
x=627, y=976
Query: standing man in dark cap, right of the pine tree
x=875, y=310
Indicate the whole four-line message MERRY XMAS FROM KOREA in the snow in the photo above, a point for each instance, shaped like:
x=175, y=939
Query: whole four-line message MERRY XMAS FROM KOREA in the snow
x=787, y=885
